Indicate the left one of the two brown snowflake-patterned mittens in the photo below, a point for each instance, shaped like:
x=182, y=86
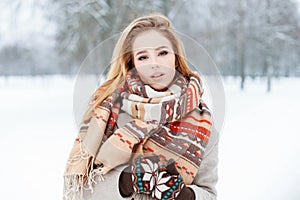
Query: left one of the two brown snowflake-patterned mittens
x=139, y=177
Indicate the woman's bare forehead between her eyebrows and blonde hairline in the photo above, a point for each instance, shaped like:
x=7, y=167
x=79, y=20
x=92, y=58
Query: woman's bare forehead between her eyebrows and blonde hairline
x=150, y=39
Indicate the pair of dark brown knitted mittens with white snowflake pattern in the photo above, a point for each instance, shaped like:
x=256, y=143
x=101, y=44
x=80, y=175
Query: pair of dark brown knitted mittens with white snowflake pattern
x=161, y=182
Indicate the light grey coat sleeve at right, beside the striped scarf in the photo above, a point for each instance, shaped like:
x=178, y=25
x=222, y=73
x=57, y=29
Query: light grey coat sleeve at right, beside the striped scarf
x=204, y=184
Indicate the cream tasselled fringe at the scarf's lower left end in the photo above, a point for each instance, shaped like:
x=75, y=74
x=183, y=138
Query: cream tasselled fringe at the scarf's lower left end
x=75, y=184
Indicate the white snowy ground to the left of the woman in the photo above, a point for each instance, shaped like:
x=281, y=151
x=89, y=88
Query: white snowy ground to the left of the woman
x=37, y=132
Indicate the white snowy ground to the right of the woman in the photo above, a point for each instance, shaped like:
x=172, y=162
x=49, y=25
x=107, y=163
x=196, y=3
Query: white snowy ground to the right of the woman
x=259, y=146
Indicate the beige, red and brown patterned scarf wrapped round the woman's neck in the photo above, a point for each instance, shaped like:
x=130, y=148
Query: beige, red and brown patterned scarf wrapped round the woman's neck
x=134, y=120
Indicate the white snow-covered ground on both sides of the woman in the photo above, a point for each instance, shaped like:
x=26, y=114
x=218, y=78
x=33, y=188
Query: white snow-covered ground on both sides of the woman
x=259, y=144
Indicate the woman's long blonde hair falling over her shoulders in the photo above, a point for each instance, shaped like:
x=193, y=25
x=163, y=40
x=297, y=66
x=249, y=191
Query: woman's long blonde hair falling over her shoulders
x=122, y=58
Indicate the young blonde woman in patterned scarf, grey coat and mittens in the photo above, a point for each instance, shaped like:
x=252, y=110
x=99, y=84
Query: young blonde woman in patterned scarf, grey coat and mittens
x=147, y=134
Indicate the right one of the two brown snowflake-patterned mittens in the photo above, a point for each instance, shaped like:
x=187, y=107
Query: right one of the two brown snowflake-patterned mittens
x=170, y=185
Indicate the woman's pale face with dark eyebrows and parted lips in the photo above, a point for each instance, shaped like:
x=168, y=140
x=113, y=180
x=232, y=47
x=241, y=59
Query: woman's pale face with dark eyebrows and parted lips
x=154, y=59
